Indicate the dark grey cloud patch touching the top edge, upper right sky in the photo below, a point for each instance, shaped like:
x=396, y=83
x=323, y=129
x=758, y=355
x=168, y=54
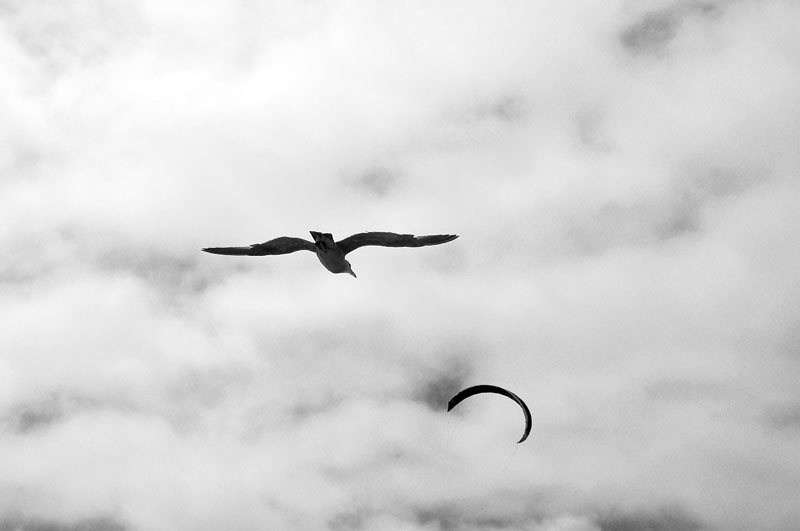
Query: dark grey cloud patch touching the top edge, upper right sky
x=652, y=32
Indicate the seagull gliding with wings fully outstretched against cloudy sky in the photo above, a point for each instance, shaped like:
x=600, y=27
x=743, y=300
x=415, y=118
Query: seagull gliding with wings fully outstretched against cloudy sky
x=330, y=252
